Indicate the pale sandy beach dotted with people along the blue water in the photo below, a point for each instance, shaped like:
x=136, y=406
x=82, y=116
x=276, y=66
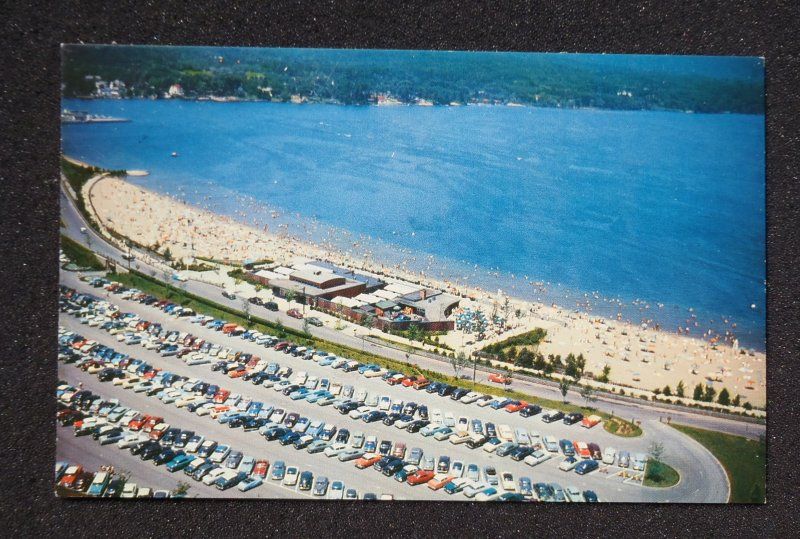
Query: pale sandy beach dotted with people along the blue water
x=639, y=357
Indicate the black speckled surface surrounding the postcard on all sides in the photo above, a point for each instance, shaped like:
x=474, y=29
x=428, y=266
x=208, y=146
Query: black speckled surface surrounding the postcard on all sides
x=29, y=82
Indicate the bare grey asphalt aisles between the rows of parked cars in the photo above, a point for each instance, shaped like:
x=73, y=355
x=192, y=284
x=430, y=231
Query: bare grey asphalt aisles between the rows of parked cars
x=608, y=486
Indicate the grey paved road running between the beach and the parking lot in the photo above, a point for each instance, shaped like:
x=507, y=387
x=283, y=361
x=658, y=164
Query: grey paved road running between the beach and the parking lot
x=608, y=403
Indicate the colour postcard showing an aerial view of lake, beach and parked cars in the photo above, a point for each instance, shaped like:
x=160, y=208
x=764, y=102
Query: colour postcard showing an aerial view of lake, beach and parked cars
x=411, y=275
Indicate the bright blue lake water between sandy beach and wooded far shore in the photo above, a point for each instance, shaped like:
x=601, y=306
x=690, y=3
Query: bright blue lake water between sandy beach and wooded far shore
x=627, y=207
